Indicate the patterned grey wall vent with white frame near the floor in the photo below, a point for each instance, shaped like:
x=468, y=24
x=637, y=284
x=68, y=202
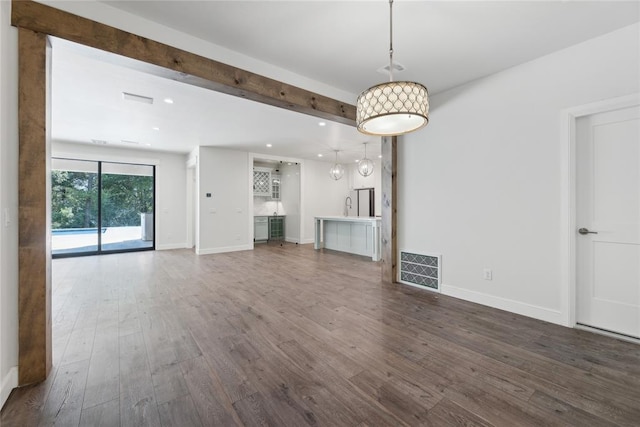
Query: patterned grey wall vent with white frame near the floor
x=421, y=270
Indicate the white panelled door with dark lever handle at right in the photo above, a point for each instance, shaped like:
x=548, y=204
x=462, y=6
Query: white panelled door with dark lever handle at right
x=608, y=203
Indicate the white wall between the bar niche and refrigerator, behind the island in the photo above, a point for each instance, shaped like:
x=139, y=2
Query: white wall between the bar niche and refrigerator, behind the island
x=321, y=195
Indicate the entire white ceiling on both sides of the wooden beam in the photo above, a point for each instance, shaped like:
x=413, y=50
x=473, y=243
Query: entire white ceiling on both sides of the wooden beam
x=442, y=44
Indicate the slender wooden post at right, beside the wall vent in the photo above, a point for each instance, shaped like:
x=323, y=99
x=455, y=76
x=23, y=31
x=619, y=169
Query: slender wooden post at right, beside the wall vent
x=389, y=209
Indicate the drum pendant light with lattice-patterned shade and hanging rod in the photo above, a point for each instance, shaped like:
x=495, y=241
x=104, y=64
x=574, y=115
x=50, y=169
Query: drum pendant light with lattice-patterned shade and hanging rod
x=392, y=108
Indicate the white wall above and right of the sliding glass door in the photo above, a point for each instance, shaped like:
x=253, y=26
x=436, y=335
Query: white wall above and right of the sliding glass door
x=171, y=184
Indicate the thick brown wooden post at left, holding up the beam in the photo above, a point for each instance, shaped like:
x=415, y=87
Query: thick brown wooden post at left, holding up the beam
x=34, y=250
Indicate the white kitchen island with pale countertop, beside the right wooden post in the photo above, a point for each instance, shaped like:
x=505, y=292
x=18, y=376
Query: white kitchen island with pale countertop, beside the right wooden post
x=356, y=235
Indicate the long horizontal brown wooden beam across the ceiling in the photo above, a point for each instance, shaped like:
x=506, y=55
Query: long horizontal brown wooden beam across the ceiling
x=178, y=64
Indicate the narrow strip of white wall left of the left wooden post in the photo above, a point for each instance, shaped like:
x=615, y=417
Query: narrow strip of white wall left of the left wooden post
x=8, y=203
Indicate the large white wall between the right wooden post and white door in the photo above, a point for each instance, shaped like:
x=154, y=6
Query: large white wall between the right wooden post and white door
x=481, y=184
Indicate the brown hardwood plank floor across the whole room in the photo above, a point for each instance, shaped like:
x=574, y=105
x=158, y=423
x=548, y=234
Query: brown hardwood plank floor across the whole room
x=289, y=336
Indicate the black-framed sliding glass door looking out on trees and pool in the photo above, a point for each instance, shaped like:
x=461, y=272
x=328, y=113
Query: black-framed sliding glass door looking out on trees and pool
x=101, y=207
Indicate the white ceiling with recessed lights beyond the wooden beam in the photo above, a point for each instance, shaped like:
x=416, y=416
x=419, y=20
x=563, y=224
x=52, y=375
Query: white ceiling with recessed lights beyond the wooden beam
x=88, y=104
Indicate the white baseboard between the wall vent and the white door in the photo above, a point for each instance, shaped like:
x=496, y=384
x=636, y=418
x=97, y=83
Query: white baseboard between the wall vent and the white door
x=529, y=310
